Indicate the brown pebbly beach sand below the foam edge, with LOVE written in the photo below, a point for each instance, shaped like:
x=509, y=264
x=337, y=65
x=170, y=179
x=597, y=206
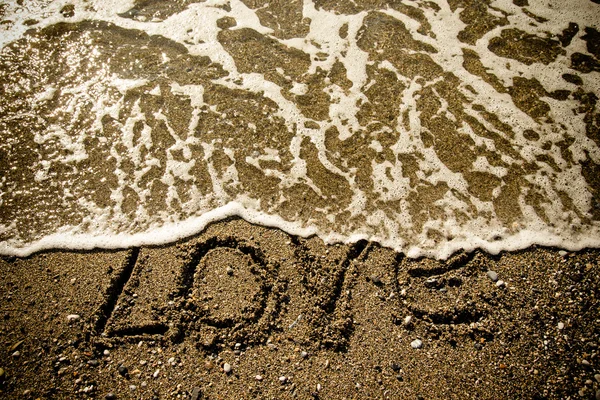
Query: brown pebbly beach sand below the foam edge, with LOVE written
x=294, y=318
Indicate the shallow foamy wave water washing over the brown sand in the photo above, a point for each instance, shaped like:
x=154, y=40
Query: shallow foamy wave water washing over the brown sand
x=427, y=126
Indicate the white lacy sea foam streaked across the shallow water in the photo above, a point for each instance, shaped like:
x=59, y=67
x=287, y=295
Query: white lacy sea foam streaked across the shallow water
x=381, y=212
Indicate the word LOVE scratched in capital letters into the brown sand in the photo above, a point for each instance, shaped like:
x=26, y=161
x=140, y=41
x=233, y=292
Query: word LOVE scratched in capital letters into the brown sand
x=224, y=290
